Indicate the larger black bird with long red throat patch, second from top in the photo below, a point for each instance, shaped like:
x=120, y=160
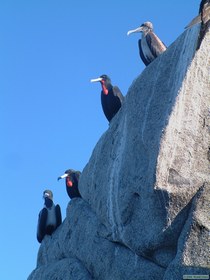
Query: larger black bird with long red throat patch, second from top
x=111, y=97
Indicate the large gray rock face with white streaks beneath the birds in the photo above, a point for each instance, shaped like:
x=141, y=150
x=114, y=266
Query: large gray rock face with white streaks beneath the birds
x=145, y=207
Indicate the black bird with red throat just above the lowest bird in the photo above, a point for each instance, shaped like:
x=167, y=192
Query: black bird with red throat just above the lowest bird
x=72, y=179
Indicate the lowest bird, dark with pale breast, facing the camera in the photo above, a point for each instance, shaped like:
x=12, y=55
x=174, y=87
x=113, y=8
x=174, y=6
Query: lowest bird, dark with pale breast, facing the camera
x=49, y=217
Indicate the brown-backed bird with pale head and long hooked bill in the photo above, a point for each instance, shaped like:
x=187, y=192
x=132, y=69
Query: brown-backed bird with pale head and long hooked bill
x=150, y=46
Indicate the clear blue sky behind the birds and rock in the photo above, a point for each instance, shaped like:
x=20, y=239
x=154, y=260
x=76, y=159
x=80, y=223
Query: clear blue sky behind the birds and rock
x=51, y=116
